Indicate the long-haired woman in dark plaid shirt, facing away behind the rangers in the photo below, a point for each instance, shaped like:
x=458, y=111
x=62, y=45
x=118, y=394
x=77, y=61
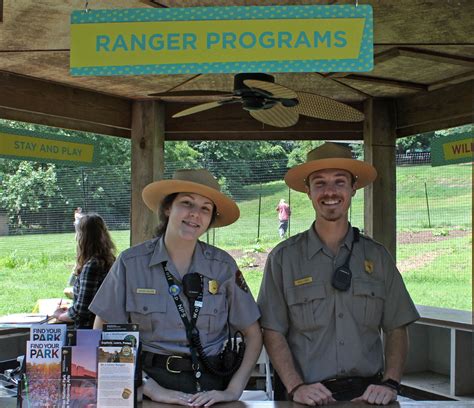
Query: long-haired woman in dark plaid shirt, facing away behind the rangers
x=95, y=256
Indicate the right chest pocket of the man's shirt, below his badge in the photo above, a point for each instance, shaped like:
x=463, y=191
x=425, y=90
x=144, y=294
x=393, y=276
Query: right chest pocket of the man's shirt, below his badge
x=369, y=299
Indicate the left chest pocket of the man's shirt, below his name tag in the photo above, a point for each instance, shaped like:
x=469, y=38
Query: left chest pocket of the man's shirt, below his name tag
x=308, y=307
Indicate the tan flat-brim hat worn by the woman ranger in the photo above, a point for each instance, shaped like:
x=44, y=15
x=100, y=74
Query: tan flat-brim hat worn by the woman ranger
x=198, y=181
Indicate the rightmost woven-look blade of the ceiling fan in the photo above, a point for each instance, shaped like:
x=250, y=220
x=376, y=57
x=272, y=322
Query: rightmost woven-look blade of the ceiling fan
x=320, y=107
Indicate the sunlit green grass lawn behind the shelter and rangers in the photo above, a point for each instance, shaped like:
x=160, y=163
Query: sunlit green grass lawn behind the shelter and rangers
x=438, y=273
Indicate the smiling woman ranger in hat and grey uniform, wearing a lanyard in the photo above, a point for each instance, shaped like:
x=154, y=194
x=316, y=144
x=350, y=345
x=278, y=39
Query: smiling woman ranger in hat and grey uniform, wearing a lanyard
x=186, y=296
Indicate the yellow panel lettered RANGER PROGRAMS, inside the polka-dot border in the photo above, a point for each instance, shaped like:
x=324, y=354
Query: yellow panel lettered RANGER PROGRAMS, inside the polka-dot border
x=229, y=41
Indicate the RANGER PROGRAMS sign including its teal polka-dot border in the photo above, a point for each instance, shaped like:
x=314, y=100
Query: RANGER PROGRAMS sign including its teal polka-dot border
x=168, y=41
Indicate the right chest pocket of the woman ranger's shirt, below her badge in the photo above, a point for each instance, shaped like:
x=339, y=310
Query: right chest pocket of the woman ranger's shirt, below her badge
x=213, y=315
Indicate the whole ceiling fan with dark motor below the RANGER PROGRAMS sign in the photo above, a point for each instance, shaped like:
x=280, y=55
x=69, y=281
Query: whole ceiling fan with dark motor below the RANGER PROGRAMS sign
x=271, y=103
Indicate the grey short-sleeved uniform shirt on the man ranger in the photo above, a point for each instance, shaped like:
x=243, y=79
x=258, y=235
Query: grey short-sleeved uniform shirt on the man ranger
x=332, y=333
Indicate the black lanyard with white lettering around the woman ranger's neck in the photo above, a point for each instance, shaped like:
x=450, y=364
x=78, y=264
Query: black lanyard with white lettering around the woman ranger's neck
x=191, y=329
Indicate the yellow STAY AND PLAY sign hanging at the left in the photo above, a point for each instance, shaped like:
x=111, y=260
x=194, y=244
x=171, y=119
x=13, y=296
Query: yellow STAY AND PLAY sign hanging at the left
x=30, y=147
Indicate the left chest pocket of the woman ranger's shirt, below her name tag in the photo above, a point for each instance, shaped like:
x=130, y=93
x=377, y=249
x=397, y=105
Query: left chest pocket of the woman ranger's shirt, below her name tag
x=146, y=310
